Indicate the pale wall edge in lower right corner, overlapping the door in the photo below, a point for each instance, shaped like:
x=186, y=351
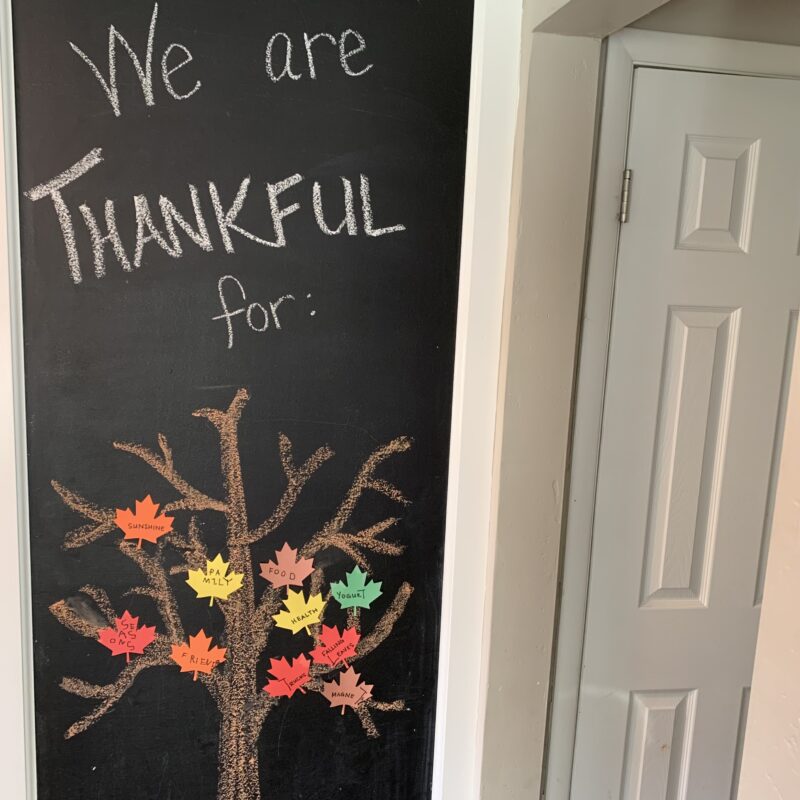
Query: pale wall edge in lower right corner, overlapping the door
x=771, y=757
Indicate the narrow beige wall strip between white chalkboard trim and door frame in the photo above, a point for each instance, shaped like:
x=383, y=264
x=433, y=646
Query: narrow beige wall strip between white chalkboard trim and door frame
x=540, y=329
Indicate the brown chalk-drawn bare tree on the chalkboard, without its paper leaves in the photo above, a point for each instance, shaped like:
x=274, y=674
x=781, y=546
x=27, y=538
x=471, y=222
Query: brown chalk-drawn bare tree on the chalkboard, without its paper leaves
x=248, y=614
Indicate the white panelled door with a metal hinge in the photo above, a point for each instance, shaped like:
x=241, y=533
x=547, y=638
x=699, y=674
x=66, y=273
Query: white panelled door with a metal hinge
x=708, y=282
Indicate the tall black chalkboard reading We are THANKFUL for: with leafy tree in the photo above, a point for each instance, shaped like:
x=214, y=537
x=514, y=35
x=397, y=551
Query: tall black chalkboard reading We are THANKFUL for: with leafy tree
x=240, y=259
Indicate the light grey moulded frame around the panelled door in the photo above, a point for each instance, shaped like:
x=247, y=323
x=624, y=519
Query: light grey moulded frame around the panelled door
x=627, y=50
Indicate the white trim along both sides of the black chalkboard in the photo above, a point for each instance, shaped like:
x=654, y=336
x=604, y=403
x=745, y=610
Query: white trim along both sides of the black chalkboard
x=497, y=42
